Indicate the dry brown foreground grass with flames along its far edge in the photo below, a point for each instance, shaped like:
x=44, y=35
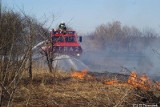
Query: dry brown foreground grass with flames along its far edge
x=68, y=89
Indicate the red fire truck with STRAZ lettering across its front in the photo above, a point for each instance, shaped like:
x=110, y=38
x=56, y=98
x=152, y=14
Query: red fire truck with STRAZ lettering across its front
x=66, y=43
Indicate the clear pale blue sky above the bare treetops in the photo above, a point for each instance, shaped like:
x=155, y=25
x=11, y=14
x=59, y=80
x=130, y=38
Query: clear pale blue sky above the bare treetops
x=85, y=15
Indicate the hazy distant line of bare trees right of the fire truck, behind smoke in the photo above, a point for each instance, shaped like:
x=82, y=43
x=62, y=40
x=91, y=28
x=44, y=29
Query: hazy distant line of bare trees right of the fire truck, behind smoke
x=115, y=36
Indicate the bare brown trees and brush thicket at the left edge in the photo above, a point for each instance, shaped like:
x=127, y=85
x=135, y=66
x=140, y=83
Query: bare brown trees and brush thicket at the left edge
x=18, y=34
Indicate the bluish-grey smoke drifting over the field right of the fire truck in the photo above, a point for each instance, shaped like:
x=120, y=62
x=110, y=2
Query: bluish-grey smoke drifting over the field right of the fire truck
x=145, y=59
